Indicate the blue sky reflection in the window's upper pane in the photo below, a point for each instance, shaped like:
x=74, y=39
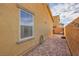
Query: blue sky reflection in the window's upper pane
x=26, y=18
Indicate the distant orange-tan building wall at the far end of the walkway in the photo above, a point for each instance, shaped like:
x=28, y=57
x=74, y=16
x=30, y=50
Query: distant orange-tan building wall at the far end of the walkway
x=56, y=24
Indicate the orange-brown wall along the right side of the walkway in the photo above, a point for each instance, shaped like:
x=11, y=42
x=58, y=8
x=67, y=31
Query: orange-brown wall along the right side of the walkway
x=72, y=35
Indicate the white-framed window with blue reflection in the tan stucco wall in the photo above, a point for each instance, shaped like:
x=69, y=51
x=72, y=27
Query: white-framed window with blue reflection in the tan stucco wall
x=26, y=24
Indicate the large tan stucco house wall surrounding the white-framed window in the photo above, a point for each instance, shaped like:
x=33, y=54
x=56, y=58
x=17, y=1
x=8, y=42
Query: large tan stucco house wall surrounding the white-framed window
x=9, y=31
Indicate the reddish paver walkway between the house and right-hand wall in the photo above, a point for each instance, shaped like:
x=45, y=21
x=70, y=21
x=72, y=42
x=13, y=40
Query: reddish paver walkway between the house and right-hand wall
x=54, y=46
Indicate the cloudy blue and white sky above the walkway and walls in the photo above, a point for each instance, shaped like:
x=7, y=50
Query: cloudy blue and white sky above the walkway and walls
x=67, y=11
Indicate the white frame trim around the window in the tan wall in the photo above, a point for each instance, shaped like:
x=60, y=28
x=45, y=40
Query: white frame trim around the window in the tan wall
x=26, y=38
